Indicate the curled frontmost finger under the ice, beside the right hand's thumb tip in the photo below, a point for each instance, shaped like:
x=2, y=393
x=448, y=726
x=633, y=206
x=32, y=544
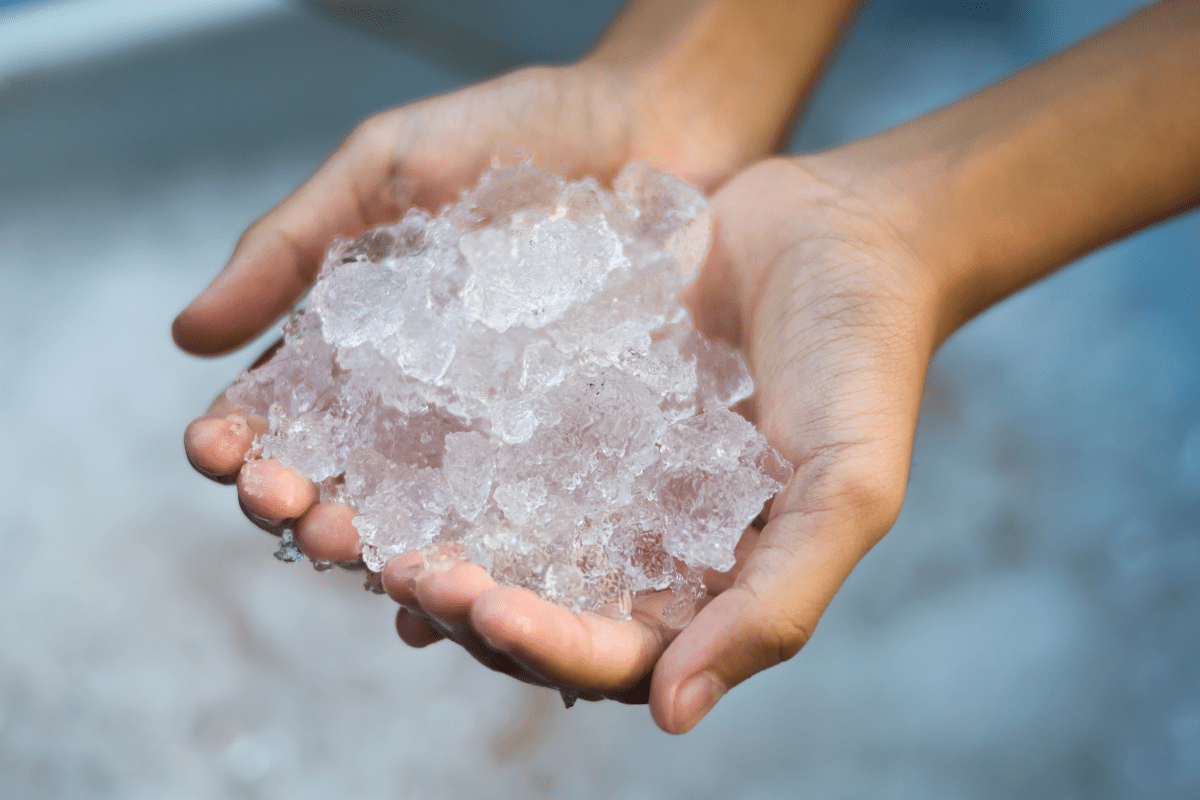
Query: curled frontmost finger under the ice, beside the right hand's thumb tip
x=565, y=648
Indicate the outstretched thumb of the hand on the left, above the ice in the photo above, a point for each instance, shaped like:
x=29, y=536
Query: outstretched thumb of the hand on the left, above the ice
x=279, y=256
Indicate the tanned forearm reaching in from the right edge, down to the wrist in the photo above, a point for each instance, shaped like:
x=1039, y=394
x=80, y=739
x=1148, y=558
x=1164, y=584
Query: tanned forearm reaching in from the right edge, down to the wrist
x=997, y=191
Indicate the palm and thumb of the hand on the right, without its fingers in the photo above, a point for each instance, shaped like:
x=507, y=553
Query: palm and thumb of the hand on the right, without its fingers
x=836, y=317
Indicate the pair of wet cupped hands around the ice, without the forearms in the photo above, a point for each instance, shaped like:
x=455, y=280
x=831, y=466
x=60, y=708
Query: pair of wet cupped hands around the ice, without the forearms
x=835, y=311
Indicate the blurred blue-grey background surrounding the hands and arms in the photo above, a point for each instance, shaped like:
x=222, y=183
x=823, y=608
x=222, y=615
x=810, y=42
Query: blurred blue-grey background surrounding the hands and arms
x=1030, y=629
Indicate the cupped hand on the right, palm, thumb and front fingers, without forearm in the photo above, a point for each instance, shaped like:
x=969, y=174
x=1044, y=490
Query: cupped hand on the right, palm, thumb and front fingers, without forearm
x=838, y=320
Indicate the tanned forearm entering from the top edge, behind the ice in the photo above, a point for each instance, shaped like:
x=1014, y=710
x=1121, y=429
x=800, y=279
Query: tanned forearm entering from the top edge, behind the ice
x=727, y=76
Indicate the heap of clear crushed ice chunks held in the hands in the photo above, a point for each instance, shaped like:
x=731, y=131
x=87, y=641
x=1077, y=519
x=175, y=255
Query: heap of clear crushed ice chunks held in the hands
x=515, y=381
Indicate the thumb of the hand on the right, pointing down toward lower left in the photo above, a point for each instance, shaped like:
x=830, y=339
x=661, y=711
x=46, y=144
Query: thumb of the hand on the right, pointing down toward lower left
x=764, y=619
